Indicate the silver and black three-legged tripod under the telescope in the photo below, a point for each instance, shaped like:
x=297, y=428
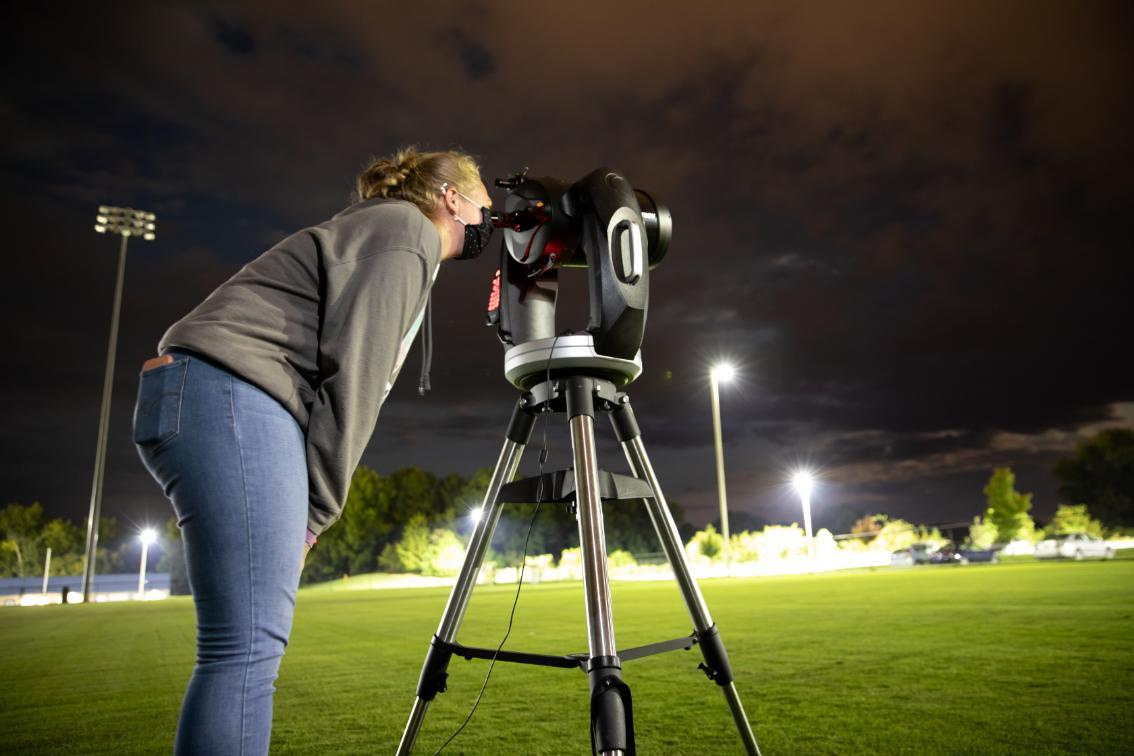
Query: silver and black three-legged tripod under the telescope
x=581, y=390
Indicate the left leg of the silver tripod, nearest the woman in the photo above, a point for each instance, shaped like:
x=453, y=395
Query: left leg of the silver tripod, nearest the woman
x=437, y=660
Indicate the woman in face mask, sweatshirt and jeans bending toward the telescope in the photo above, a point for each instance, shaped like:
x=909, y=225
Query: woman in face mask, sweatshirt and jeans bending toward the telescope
x=258, y=410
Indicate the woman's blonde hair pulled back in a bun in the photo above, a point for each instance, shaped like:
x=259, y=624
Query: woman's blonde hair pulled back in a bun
x=418, y=177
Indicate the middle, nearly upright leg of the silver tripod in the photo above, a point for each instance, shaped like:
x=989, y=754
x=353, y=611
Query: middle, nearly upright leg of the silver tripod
x=612, y=719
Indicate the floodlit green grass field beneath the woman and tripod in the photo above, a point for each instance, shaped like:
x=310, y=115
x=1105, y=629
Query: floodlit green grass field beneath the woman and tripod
x=1028, y=658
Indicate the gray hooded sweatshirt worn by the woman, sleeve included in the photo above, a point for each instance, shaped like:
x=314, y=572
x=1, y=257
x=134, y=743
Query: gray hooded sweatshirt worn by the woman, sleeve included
x=323, y=322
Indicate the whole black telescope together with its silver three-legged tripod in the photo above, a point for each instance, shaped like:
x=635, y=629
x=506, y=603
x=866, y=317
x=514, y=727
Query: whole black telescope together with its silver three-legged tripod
x=617, y=234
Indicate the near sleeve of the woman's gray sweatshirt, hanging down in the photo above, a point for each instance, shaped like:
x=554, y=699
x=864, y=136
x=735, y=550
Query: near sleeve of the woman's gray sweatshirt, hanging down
x=373, y=311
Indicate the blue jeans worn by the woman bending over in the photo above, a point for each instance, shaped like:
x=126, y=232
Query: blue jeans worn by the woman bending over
x=233, y=462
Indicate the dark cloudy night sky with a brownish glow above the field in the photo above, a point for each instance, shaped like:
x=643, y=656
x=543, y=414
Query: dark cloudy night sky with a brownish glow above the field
x=907, y=224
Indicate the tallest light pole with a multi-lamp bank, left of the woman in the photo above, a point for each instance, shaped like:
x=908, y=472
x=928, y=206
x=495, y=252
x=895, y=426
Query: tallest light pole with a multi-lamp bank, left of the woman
x=124, y=223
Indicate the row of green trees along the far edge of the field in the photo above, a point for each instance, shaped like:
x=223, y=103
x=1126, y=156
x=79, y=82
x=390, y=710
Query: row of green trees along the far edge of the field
x=417, y=522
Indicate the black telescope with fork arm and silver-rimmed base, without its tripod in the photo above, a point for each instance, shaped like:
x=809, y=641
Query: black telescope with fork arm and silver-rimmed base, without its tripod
x=600, y=224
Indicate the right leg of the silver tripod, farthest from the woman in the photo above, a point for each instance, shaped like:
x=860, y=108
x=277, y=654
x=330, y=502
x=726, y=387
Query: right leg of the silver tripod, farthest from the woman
x=717, y=666
